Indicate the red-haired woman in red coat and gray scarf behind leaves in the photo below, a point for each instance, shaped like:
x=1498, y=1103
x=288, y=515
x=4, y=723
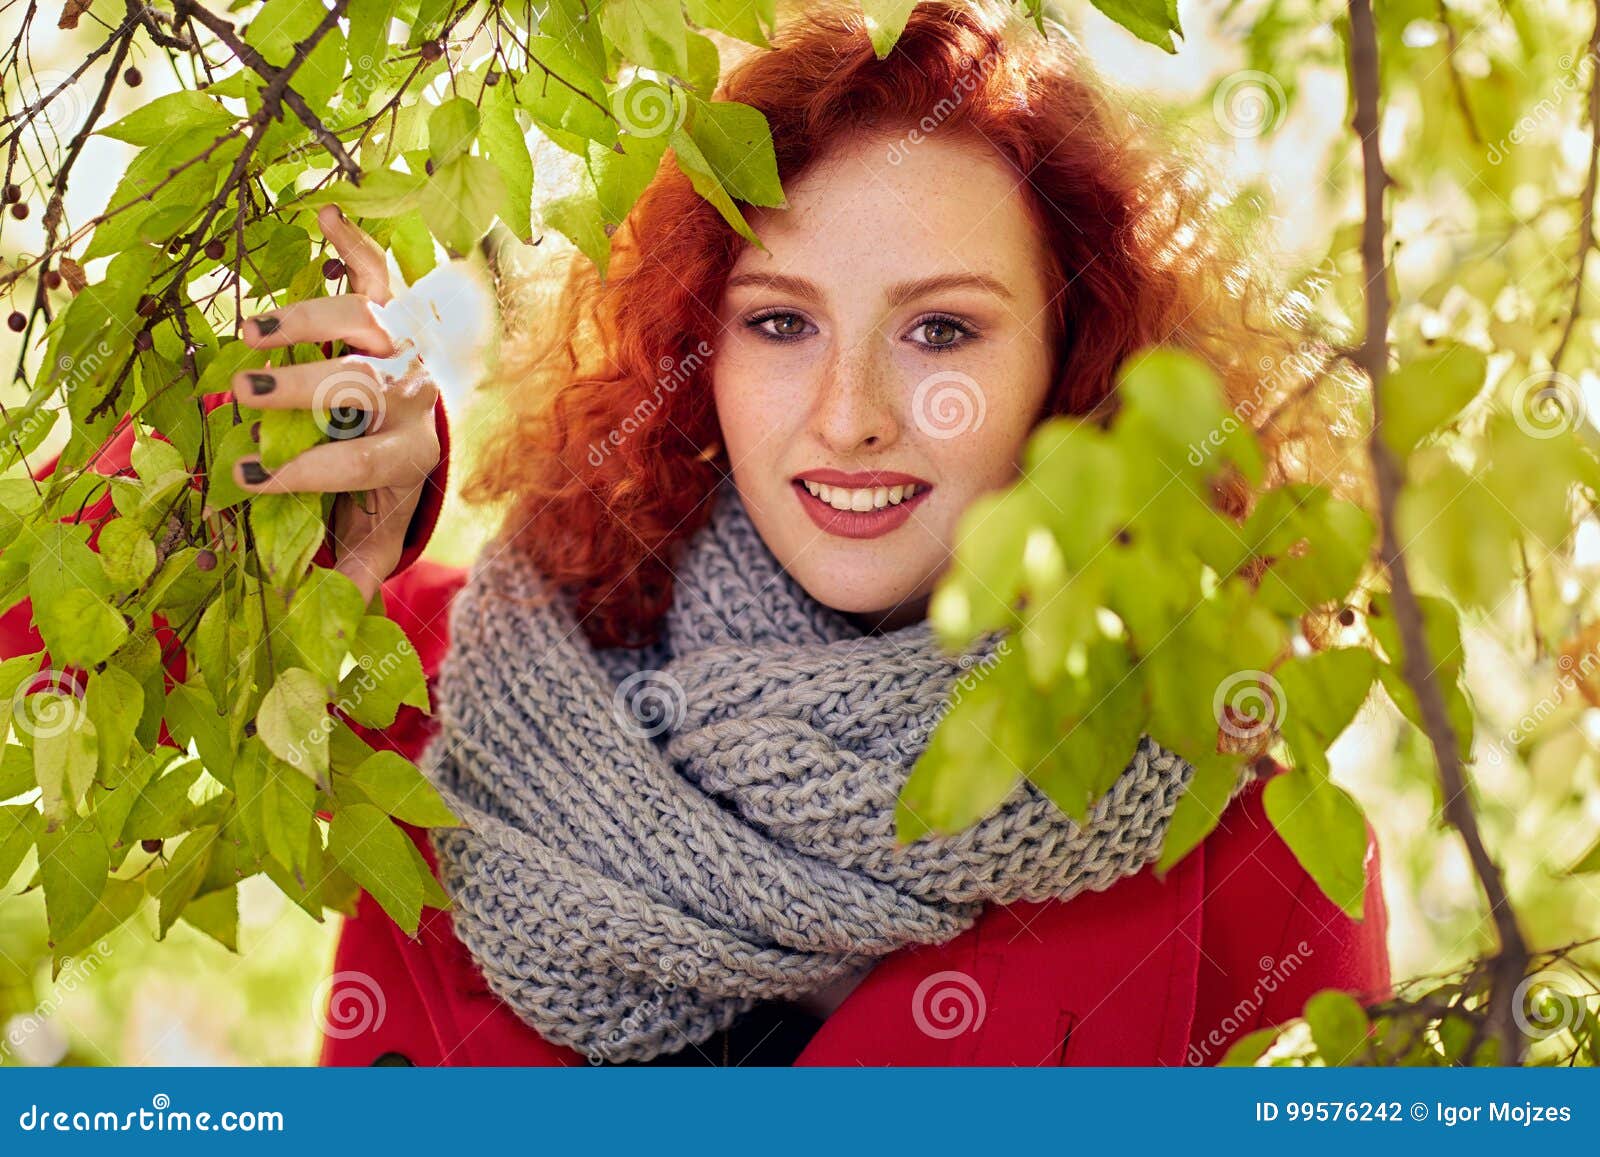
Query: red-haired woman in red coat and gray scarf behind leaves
x=674, y=694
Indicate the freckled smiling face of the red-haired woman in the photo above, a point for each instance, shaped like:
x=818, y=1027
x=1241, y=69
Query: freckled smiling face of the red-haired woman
x=882, y=364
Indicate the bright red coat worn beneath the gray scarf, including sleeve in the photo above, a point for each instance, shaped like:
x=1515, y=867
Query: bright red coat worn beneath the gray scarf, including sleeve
x=1148, y=972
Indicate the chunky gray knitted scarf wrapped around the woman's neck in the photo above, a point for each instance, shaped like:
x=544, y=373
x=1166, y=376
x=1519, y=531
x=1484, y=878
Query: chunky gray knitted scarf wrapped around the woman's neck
x=655, y=839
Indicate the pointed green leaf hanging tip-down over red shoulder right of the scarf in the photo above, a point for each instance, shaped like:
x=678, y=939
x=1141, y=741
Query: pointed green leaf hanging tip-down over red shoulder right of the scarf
x=1327, y=833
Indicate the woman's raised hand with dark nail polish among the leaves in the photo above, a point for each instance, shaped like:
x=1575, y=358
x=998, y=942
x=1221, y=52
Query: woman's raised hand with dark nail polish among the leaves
x=383, y=438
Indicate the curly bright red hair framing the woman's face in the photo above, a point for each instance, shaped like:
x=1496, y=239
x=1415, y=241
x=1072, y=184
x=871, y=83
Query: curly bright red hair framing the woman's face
x=1137, y=252
